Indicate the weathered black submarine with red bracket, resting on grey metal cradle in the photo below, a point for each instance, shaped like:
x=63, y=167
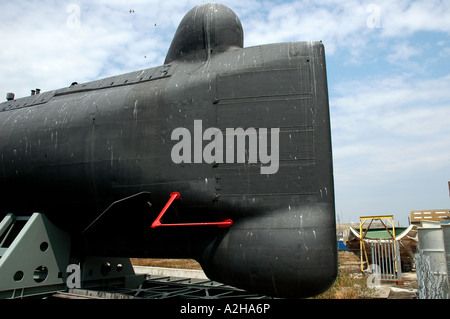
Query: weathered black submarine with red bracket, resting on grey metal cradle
x=222, y=154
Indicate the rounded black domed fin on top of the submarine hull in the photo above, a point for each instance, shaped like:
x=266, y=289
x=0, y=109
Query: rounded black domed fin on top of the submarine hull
x=206, y=29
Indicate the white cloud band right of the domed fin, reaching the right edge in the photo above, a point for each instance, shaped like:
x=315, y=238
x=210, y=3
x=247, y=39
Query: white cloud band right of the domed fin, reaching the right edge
x=353, y=27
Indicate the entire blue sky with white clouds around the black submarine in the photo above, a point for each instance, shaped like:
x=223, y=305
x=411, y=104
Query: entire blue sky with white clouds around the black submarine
x=388, y=77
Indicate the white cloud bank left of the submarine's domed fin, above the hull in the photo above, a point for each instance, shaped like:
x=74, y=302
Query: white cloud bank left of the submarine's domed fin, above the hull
x=50, y=45
